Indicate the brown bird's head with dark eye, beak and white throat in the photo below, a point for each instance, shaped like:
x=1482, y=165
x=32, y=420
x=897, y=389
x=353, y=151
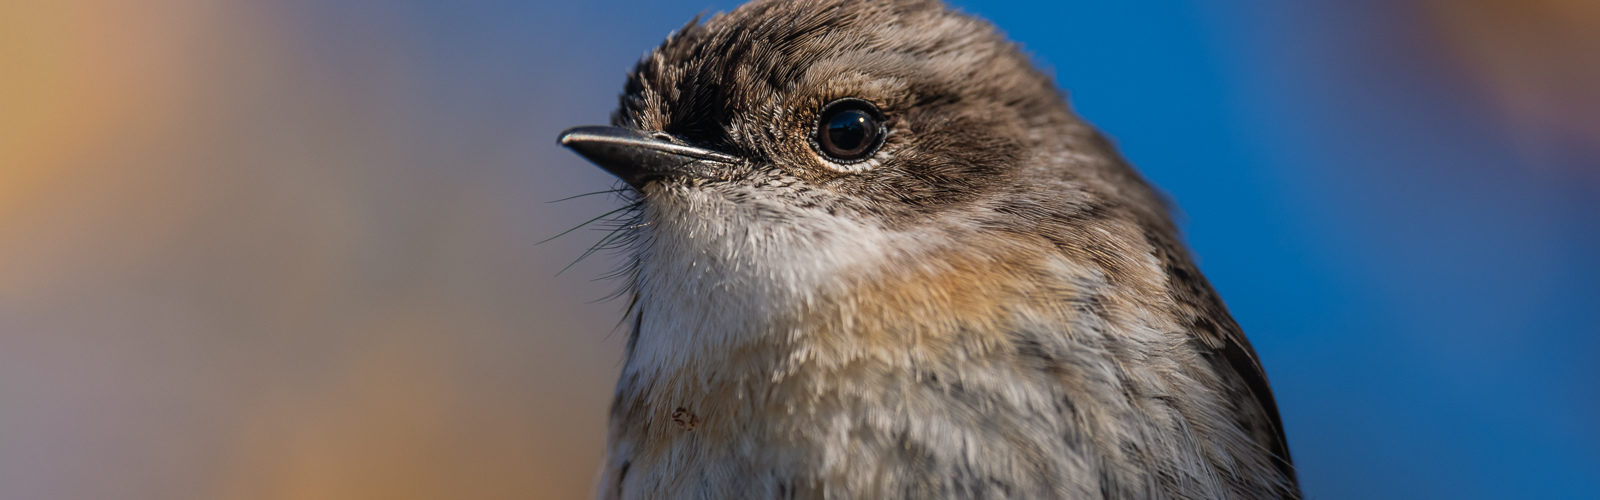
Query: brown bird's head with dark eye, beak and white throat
x=788, y=155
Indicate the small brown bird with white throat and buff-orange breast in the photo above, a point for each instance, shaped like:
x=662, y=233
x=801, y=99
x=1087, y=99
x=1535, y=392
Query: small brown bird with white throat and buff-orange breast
x=873, y=254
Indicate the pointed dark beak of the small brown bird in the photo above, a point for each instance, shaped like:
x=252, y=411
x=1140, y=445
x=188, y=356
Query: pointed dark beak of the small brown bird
x=639, y=158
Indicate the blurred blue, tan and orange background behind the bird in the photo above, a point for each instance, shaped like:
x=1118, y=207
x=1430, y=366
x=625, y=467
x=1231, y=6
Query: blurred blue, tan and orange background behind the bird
x=290, y=249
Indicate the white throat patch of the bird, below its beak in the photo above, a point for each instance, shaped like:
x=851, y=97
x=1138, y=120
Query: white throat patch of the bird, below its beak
x=714, y=275
